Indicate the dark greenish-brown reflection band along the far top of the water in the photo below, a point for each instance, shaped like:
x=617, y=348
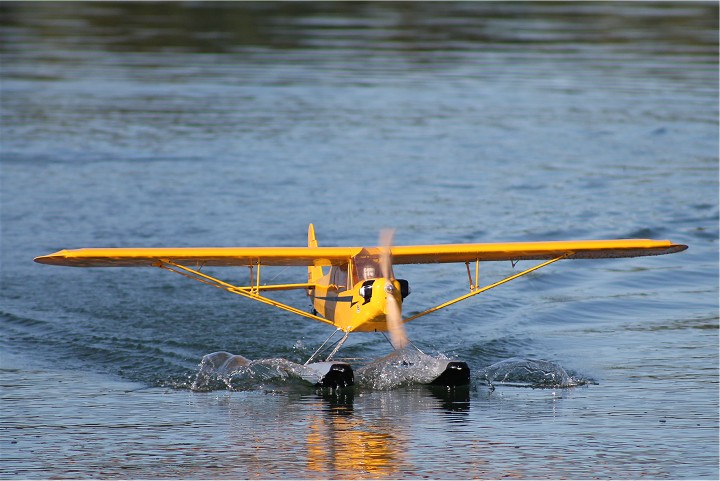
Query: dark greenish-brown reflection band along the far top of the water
x=413, y=28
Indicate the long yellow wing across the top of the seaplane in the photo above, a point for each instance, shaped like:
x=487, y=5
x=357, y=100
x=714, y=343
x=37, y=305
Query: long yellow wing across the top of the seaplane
x=325, y=256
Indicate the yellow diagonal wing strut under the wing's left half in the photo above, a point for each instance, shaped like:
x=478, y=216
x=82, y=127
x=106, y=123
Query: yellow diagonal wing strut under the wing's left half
x=251, y=292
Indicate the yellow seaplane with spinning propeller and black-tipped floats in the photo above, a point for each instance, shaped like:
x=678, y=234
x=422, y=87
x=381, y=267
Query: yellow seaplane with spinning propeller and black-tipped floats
x=354, y=289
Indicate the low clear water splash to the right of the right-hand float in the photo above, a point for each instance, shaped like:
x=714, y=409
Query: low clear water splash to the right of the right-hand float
x=529, y=373
